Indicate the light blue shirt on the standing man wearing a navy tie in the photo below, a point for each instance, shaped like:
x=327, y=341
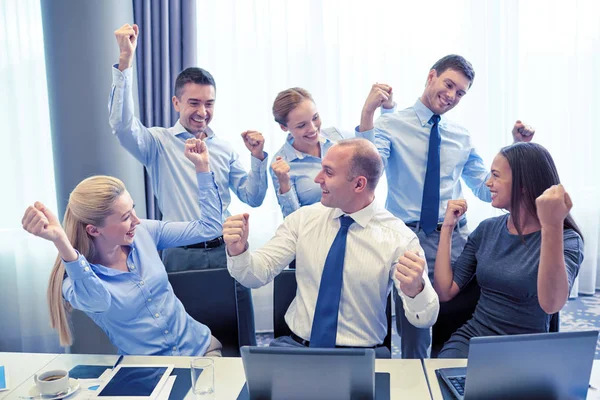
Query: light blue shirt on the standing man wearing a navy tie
x=402, y=139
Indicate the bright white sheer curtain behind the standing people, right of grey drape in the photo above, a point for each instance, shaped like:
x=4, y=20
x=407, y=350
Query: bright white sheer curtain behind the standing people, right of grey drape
x=535, y=60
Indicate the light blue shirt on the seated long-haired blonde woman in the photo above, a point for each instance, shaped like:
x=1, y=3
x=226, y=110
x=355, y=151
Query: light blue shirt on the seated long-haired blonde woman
x=138, y=309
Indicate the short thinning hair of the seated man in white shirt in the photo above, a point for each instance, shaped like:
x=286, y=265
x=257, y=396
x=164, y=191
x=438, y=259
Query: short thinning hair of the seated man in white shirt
x=365, y=161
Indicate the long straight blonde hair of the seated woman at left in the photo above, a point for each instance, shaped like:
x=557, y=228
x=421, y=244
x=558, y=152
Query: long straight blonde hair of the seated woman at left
x=89, y=204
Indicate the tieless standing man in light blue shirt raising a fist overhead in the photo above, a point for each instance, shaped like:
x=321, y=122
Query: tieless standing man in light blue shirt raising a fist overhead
x=160, y=150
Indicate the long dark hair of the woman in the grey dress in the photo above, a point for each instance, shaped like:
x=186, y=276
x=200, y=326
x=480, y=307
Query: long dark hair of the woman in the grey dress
x=533, y=171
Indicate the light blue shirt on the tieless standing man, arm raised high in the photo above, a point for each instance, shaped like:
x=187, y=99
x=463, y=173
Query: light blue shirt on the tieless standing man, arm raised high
x=173, y=176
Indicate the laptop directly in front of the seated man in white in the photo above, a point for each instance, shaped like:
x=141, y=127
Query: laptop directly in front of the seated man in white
x=289, y=373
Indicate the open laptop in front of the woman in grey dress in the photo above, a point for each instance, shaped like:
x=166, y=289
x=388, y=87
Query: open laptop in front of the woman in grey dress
x=533, y=366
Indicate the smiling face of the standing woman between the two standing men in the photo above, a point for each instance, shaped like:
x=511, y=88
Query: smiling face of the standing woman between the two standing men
x=304, y=124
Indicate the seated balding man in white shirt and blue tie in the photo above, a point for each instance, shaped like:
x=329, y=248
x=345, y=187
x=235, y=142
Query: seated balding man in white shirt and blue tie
x=379, y=251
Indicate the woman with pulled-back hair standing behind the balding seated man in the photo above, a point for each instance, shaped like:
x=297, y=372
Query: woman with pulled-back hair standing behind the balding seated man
x=298, y=161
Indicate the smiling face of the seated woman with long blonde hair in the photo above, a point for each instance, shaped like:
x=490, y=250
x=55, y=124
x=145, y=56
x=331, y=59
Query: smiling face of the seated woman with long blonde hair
x=119, y=227
